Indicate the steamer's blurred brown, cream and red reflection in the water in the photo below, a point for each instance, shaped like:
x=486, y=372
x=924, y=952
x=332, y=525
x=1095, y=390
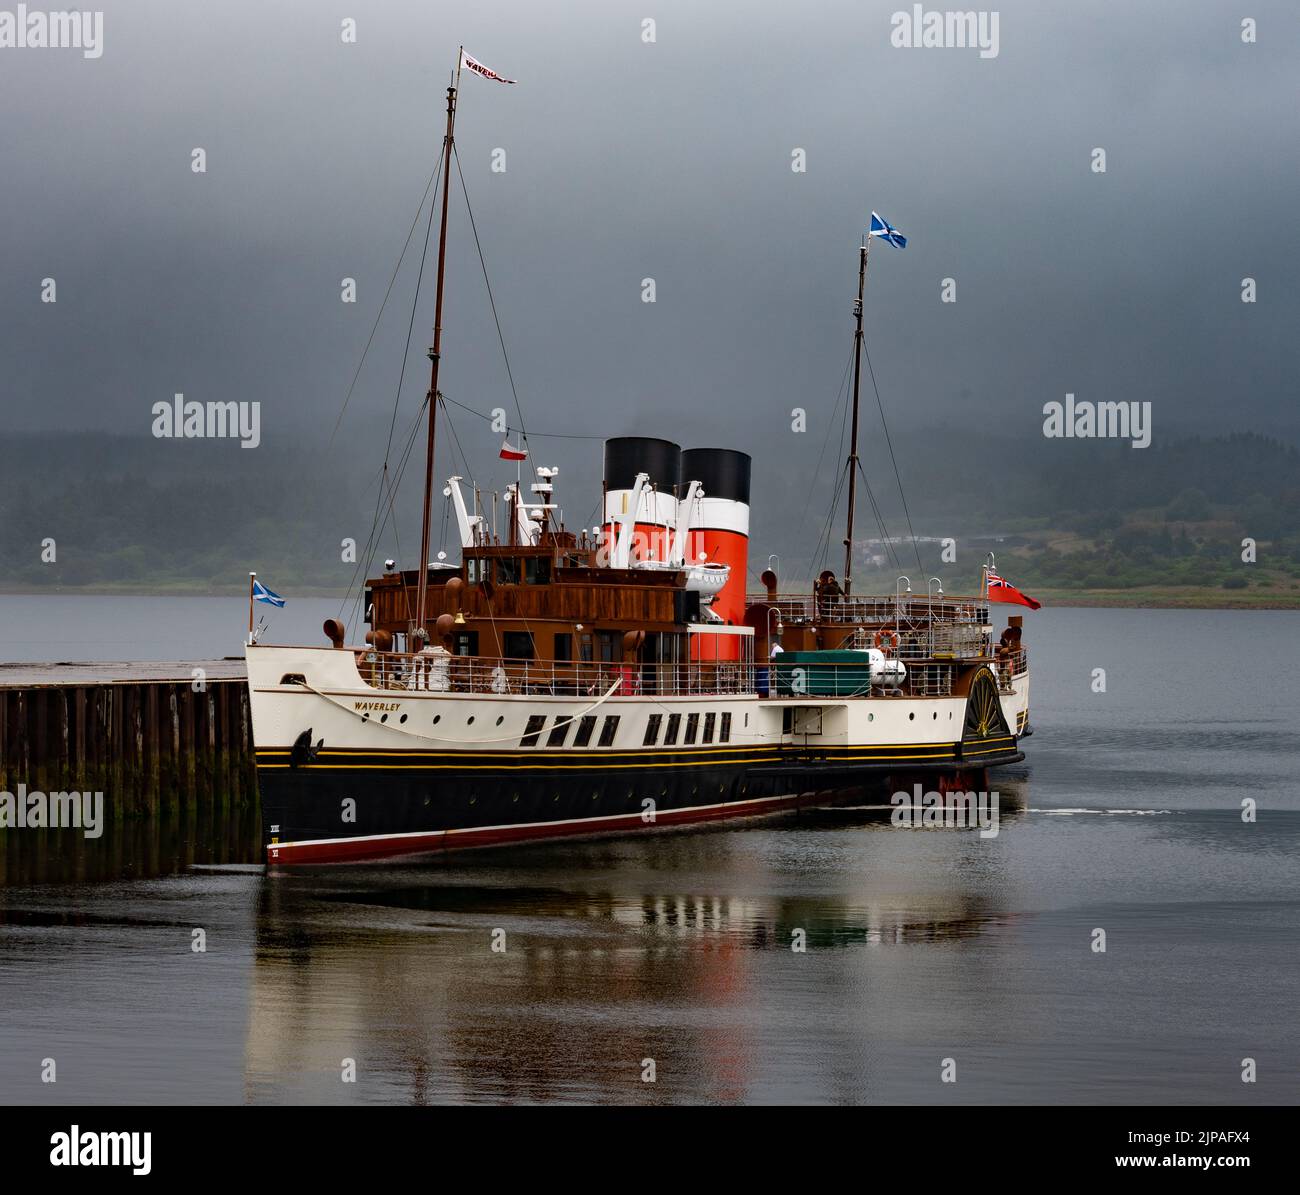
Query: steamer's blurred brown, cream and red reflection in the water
x=747, y=964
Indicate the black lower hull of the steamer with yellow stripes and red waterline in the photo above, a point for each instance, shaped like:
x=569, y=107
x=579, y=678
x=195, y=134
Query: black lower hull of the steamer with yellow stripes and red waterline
x=350, y=806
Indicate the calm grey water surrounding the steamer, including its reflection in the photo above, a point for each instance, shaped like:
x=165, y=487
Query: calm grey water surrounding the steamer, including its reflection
x=922, y=946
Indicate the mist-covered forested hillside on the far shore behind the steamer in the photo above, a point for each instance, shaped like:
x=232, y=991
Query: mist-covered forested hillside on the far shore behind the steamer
x=198, y=517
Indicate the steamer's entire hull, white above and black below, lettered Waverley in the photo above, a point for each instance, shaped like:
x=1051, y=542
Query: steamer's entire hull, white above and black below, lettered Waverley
x=339, y=787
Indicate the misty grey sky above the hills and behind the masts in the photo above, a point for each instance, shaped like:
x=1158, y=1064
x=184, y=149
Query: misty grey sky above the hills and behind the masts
x=670, y=161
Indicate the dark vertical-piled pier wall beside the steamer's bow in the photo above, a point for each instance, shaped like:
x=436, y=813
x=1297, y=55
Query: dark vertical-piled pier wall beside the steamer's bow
x=154, y=738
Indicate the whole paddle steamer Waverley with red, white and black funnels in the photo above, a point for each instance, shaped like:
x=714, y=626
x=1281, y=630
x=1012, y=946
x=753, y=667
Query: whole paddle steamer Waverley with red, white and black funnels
x=619, y=678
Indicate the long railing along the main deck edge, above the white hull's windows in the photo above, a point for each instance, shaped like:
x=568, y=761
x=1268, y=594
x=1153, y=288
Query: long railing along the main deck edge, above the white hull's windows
x=443, y=673
